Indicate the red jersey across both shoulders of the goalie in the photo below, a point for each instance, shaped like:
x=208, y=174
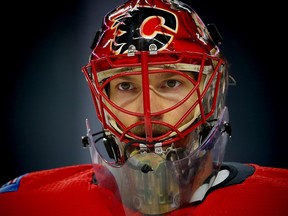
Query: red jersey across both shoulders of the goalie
x=250, y=190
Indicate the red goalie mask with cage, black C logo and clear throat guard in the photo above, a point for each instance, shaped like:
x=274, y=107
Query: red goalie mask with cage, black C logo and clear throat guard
x=158, y=81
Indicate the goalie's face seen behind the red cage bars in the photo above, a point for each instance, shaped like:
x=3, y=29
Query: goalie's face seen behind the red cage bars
x=167, y=92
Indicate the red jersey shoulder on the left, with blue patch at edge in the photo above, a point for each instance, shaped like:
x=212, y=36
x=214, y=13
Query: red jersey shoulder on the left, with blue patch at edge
x=60, y=191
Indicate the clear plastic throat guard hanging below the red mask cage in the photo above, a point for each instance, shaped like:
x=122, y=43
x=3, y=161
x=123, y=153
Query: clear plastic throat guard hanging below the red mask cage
x=156, y=181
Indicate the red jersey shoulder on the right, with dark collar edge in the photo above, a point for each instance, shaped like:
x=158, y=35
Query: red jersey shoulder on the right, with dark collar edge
x=254, y=190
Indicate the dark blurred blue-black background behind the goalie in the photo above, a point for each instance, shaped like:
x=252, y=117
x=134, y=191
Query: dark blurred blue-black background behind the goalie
x=45, y=98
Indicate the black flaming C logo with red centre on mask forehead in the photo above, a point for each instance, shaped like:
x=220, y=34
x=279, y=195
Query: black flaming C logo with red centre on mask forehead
x=140, y=29
